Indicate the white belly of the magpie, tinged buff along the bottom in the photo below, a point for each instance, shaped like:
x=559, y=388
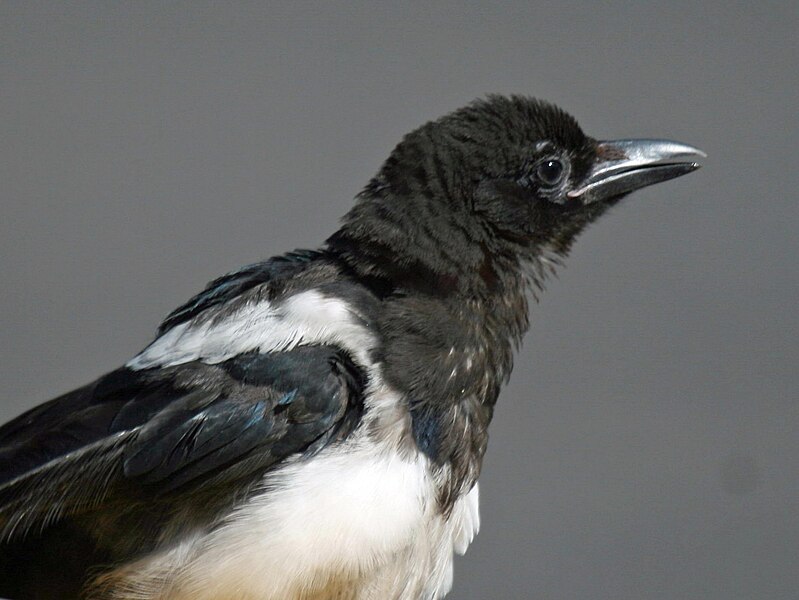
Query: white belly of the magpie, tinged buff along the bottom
x=357, y=519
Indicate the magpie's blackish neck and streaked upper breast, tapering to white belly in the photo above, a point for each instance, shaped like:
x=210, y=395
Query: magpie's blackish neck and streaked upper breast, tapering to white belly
x=453, y=312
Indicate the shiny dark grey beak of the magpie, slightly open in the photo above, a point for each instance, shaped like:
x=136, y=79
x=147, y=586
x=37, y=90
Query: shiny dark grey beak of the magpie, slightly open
x=626, y=165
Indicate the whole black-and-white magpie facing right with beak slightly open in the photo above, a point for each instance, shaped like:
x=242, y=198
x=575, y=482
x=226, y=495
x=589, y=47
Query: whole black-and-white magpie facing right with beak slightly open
x=313, y=426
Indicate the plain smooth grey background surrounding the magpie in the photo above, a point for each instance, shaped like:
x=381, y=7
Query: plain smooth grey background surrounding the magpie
x=647, y=446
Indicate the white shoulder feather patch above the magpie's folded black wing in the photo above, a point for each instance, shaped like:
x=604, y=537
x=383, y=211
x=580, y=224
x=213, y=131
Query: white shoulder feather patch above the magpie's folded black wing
x=305, y=318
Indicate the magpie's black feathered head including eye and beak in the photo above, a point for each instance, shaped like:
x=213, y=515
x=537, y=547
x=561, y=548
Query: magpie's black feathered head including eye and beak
x=466, y=199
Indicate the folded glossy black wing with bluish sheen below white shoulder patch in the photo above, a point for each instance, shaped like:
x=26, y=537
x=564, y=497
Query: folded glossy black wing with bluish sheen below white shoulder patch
x=134, y=435
